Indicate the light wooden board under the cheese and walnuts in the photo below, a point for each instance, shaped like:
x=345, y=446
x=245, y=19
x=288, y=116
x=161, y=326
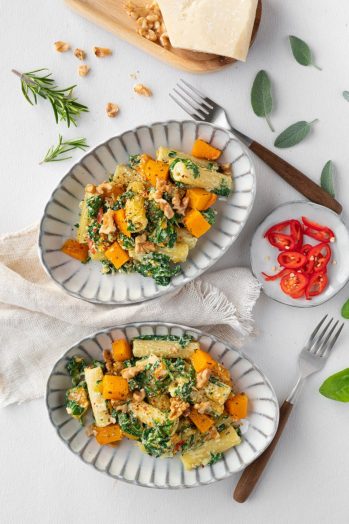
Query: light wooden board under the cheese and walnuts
x=111, y=15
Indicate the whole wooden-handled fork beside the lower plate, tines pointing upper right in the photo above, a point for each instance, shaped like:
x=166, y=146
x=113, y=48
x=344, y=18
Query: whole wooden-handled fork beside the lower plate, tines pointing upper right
x=311, y=359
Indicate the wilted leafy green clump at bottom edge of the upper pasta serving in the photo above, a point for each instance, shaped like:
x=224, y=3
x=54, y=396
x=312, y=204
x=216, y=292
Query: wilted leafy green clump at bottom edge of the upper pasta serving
x=159, y=267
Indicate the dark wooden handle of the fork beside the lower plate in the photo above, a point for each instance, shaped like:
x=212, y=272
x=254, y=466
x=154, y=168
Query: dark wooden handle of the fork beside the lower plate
x=251, y=474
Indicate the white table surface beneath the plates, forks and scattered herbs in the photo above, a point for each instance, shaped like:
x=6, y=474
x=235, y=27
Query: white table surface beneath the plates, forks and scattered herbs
x=307, y=479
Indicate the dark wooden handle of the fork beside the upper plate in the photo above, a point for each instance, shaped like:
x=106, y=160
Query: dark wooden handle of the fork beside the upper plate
x=296, y=179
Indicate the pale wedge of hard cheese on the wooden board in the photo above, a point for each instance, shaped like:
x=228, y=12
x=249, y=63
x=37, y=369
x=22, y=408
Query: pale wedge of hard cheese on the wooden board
x=222, y=27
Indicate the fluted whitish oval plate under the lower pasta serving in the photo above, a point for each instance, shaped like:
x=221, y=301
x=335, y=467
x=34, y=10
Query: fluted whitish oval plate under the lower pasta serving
x=126, y=462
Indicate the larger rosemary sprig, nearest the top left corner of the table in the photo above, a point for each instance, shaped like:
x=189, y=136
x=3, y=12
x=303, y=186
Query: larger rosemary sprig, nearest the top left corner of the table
x=64, y=106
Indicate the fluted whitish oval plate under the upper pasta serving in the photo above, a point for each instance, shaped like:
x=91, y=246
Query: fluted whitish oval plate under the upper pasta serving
x=86, y=281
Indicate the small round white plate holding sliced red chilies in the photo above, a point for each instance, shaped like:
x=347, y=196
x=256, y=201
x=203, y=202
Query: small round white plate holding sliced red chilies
x=264, y=256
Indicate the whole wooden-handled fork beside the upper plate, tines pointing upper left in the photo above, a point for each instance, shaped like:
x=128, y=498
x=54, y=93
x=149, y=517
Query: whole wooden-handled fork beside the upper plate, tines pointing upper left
x=204, y=109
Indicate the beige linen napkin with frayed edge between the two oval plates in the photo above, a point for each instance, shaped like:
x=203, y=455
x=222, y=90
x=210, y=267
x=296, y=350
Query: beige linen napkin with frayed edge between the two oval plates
x=39, y=321
